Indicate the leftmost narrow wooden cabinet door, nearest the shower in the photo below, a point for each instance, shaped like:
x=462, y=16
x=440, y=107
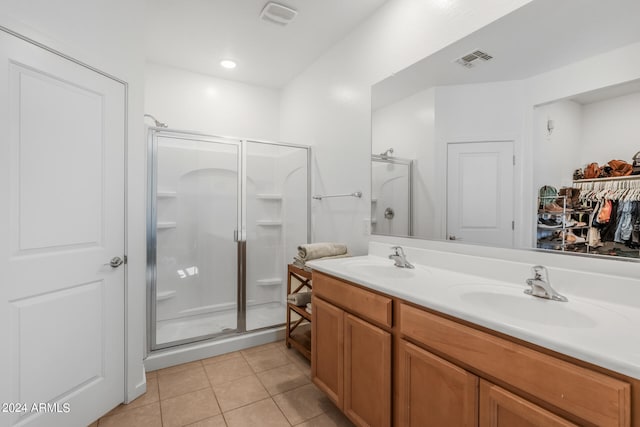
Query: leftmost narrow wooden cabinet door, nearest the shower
x=327, y=343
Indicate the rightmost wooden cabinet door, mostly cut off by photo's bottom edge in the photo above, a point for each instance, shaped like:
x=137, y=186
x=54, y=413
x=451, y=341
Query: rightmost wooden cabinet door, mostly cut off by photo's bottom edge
x=500, y=408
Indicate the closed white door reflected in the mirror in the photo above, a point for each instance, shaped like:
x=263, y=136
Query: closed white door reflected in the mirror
x=480, y=192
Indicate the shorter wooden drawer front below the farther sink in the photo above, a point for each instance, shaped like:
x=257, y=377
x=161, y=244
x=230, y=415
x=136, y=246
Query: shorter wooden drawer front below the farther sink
x=369, y=305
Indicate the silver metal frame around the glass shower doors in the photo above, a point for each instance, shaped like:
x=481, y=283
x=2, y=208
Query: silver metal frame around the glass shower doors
x=240, y=234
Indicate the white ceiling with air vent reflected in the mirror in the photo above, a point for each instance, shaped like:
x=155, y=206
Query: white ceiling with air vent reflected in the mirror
x=538, y=37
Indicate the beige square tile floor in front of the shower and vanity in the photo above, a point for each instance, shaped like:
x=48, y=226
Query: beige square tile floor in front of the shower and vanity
x=265, y=386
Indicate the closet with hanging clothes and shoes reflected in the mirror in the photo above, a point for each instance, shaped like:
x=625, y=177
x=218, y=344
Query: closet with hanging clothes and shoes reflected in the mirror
x=592, y=127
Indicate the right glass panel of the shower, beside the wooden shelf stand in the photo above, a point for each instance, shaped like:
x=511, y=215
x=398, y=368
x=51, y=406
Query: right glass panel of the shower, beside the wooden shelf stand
x=277, y=222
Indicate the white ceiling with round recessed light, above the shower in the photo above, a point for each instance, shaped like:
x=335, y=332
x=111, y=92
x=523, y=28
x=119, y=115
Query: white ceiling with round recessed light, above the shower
x=197, y=34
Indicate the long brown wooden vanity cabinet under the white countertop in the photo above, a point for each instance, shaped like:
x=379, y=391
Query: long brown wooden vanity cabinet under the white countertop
x=447, y=372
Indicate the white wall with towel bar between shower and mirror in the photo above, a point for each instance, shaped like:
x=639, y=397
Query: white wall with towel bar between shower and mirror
x=328, y=105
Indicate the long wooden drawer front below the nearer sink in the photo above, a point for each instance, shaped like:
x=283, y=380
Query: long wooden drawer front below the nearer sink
x=589, y=395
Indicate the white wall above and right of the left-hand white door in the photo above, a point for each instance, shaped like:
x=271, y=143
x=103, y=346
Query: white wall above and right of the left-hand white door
x=105, y=34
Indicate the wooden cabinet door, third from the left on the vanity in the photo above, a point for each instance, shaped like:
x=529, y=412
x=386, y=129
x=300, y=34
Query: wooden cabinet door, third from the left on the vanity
x=434, y=392
